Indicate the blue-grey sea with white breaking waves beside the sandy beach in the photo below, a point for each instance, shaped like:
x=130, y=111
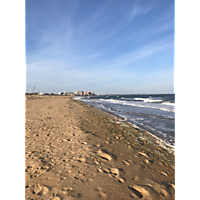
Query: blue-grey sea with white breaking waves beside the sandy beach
x=154, y=113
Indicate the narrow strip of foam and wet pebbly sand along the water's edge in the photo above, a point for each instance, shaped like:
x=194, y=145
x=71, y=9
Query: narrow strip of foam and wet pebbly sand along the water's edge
x=158, y=141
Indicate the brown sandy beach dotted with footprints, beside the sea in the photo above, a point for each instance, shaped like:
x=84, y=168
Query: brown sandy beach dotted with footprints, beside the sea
x=75, y=151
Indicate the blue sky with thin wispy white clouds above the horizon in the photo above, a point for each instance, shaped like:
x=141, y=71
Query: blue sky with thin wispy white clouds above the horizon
x=105, y=46
